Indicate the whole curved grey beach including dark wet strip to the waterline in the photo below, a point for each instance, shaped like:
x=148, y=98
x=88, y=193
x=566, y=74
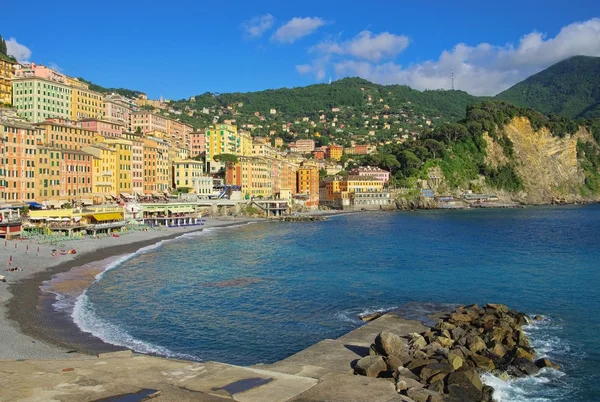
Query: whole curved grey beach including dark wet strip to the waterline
x=29, y=332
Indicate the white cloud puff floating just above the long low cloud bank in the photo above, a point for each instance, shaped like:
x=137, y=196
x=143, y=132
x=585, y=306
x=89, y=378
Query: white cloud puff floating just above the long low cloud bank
x=366, y=46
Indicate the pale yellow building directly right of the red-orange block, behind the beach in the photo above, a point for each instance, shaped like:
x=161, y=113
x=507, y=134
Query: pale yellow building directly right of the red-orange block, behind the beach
x=104, y=179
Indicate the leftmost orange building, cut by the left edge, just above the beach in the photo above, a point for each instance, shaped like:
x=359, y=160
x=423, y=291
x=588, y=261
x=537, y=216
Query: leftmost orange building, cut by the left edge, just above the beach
x=17, y=157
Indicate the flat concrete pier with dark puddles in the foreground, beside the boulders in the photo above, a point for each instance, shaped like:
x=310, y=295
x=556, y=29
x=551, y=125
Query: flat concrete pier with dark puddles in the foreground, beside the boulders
x=322, y=372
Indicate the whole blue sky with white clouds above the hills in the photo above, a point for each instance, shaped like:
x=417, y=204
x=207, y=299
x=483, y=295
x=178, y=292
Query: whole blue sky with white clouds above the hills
x=185, y=48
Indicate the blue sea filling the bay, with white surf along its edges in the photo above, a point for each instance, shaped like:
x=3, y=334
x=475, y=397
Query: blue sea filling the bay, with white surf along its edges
x=261, y=292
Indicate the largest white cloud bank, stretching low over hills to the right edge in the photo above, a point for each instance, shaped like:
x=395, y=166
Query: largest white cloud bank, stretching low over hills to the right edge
x=484, y=69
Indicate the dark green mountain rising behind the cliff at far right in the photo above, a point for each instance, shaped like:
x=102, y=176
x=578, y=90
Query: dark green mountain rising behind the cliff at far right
x=569, y=88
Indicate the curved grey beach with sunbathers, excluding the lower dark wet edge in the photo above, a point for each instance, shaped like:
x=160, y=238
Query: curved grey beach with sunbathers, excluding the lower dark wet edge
x=23, y=335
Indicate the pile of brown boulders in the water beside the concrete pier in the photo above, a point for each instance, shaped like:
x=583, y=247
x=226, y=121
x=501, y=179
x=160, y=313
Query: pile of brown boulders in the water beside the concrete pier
x=444, y=363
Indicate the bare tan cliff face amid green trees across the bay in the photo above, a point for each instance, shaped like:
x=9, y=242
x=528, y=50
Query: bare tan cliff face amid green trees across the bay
x=547, y=164
